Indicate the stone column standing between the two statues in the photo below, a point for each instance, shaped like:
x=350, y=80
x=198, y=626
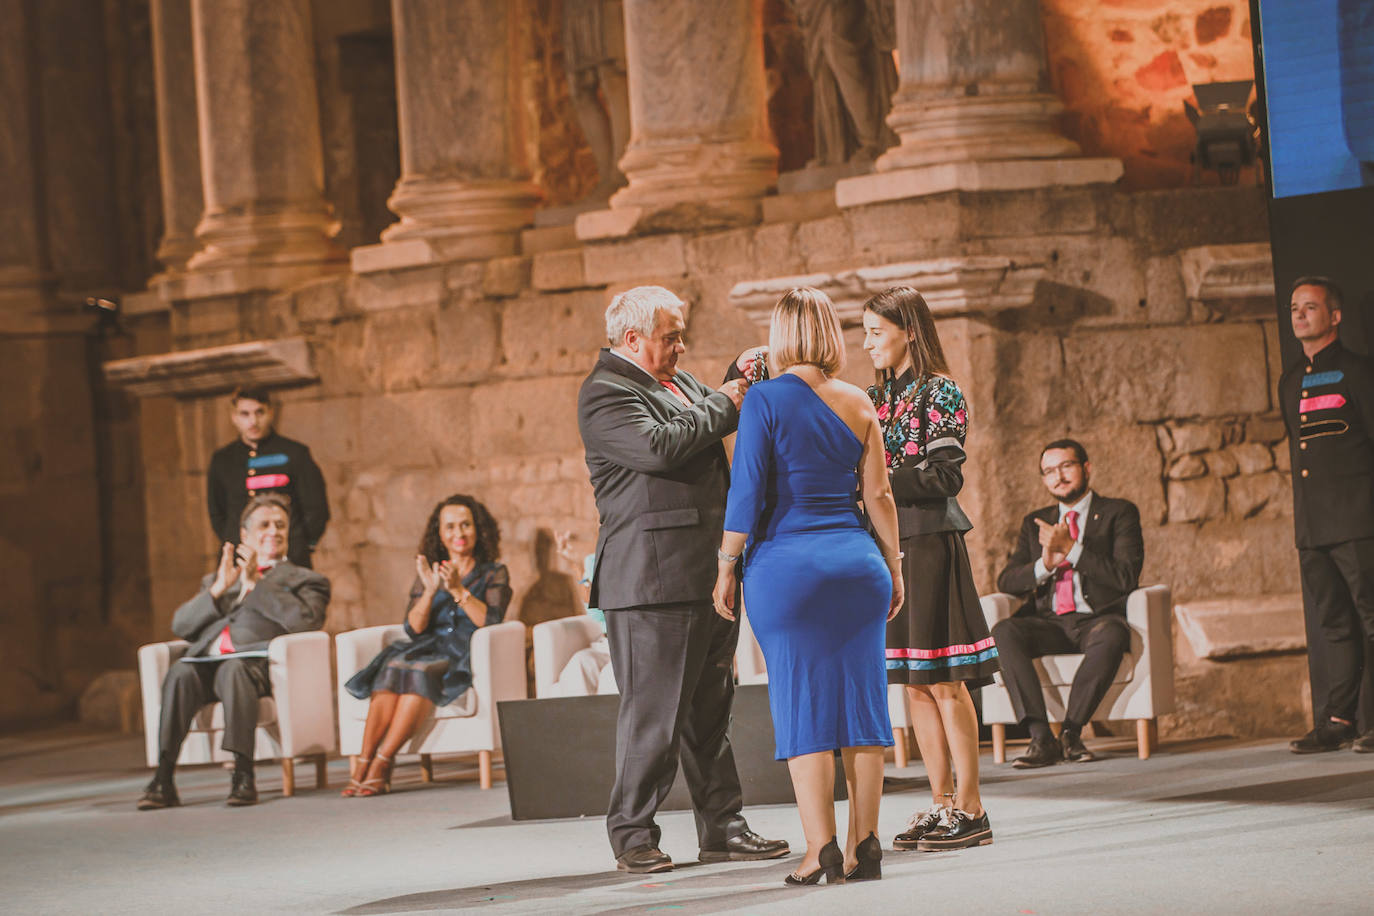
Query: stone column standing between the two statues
x=700, y=148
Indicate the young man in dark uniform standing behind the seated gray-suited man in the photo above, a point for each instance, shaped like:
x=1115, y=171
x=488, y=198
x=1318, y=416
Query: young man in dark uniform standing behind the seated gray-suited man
x=263, y=462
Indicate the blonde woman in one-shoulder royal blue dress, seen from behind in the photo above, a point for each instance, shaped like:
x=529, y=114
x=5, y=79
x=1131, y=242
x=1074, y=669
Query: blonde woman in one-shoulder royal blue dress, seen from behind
x=818, y=588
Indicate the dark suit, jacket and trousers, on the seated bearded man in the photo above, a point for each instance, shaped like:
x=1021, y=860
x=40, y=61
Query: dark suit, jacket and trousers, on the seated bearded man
x=1110, y=571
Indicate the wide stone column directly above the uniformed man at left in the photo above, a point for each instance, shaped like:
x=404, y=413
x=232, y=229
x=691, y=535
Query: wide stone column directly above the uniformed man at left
x=262, y=159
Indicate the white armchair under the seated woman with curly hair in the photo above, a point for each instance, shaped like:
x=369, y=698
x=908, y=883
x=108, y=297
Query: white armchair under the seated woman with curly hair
x=469, y=724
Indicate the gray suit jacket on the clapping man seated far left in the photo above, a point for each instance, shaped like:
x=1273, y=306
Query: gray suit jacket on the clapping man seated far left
x=288, y=599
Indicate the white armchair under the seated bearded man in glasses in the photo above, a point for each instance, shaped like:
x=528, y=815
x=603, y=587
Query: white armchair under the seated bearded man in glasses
x=1142, y=689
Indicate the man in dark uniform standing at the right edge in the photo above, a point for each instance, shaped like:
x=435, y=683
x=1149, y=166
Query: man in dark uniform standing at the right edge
x=1328, y=403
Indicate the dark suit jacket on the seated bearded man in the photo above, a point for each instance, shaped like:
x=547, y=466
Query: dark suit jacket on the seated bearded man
x=1114, y=553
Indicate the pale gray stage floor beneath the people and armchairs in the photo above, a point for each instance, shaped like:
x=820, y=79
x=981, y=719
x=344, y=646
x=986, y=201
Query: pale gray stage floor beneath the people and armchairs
x=1215, y=827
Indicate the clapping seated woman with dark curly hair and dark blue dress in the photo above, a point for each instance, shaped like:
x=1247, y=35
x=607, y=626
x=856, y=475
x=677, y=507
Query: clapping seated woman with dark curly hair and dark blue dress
x=460, y=587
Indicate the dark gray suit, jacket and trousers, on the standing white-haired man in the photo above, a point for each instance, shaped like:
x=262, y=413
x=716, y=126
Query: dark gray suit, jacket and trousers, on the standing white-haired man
x=660, y=476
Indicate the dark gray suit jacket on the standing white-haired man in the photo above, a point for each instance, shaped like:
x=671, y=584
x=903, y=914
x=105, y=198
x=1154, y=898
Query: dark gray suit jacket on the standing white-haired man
x=660, y=474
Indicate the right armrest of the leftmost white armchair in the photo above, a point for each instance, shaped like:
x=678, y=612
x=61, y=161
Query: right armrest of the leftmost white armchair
x=299, y=667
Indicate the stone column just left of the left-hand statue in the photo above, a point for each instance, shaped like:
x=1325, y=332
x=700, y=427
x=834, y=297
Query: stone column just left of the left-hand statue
x=465, y=190
